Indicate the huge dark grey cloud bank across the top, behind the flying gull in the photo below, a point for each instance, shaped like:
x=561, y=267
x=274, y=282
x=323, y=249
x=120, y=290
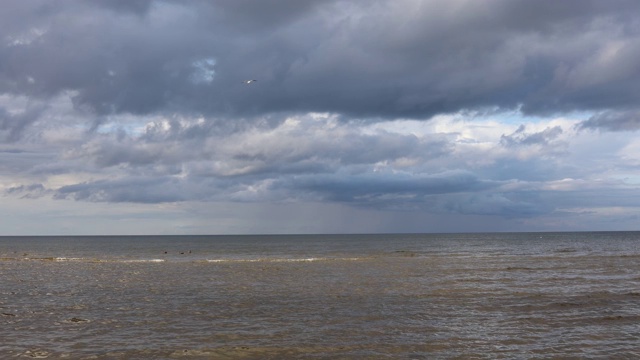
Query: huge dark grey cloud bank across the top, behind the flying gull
x=363, y=59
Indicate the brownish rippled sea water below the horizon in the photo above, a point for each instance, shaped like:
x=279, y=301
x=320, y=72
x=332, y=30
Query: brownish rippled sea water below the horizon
x=435, y=296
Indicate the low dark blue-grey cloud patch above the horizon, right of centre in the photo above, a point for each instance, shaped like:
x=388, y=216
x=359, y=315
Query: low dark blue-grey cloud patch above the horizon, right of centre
x=453, y=192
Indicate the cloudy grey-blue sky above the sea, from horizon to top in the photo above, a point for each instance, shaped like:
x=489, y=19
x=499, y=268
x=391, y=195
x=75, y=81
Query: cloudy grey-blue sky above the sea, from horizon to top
x=131, y=116
